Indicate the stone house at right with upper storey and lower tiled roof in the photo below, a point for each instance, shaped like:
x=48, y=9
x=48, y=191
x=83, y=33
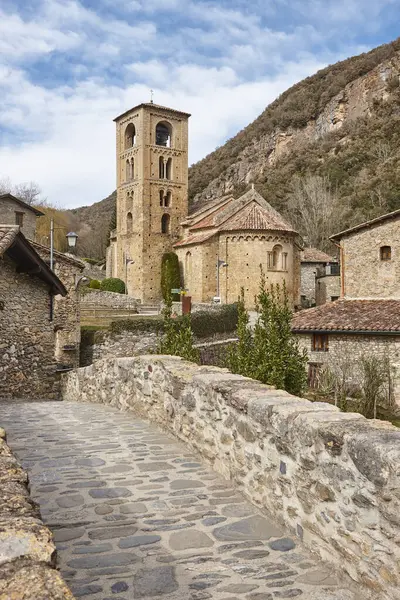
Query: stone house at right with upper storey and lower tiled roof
x=366, y=318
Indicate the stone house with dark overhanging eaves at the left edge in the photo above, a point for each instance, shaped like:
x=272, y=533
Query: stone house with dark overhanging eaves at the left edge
x=28, y=287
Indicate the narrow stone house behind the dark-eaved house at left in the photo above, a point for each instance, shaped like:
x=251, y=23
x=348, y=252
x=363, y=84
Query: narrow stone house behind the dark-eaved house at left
x=66, y=308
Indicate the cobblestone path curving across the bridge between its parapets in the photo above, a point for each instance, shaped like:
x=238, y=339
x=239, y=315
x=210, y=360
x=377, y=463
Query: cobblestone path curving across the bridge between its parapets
x=136, y=515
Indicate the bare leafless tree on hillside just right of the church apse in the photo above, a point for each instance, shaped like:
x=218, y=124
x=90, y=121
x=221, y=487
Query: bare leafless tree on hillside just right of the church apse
x=314, y=209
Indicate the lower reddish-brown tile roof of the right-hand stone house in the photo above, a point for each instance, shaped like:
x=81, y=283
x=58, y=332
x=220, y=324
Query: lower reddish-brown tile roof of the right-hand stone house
x=350, y=315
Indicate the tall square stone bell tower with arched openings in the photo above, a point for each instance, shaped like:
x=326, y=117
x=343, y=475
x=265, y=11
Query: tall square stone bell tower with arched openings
x=152, y=194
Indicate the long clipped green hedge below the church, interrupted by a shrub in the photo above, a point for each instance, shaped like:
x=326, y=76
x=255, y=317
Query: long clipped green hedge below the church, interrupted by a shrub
x=204, y=323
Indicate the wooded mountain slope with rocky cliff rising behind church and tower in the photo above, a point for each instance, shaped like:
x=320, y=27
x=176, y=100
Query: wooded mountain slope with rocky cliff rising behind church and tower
x=326, y=153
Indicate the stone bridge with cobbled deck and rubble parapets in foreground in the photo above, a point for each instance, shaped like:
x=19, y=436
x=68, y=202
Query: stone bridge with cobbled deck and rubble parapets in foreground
x=137, y=513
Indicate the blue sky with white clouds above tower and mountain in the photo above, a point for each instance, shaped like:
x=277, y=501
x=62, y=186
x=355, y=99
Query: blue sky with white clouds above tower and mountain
x=68, y=67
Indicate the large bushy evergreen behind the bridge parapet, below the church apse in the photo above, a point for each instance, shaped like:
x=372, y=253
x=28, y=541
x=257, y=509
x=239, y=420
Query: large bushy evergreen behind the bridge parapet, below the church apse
x=270, y=352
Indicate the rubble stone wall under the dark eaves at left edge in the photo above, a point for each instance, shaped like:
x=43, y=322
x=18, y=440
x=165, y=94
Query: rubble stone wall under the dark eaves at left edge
x=27, y=337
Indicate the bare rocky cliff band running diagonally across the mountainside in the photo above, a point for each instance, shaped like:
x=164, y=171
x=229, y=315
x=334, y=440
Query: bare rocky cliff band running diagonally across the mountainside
x=355, y=100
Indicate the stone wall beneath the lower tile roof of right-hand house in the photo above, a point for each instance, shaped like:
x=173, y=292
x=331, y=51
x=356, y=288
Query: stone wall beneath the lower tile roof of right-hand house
x=346, y=350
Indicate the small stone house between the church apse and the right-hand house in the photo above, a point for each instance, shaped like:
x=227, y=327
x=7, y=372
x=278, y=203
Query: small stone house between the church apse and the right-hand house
x=319, y=278
